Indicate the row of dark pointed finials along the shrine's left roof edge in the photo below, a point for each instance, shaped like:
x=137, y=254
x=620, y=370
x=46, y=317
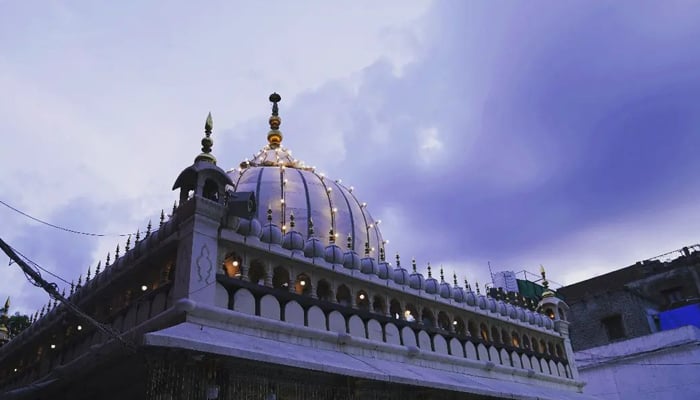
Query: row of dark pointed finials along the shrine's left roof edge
x=76, y=286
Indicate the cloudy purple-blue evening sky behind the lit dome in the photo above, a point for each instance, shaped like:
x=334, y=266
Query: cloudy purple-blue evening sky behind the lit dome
x=556, y=133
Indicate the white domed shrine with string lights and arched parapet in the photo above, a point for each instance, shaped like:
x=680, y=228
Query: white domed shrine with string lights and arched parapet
x=271, y=281
